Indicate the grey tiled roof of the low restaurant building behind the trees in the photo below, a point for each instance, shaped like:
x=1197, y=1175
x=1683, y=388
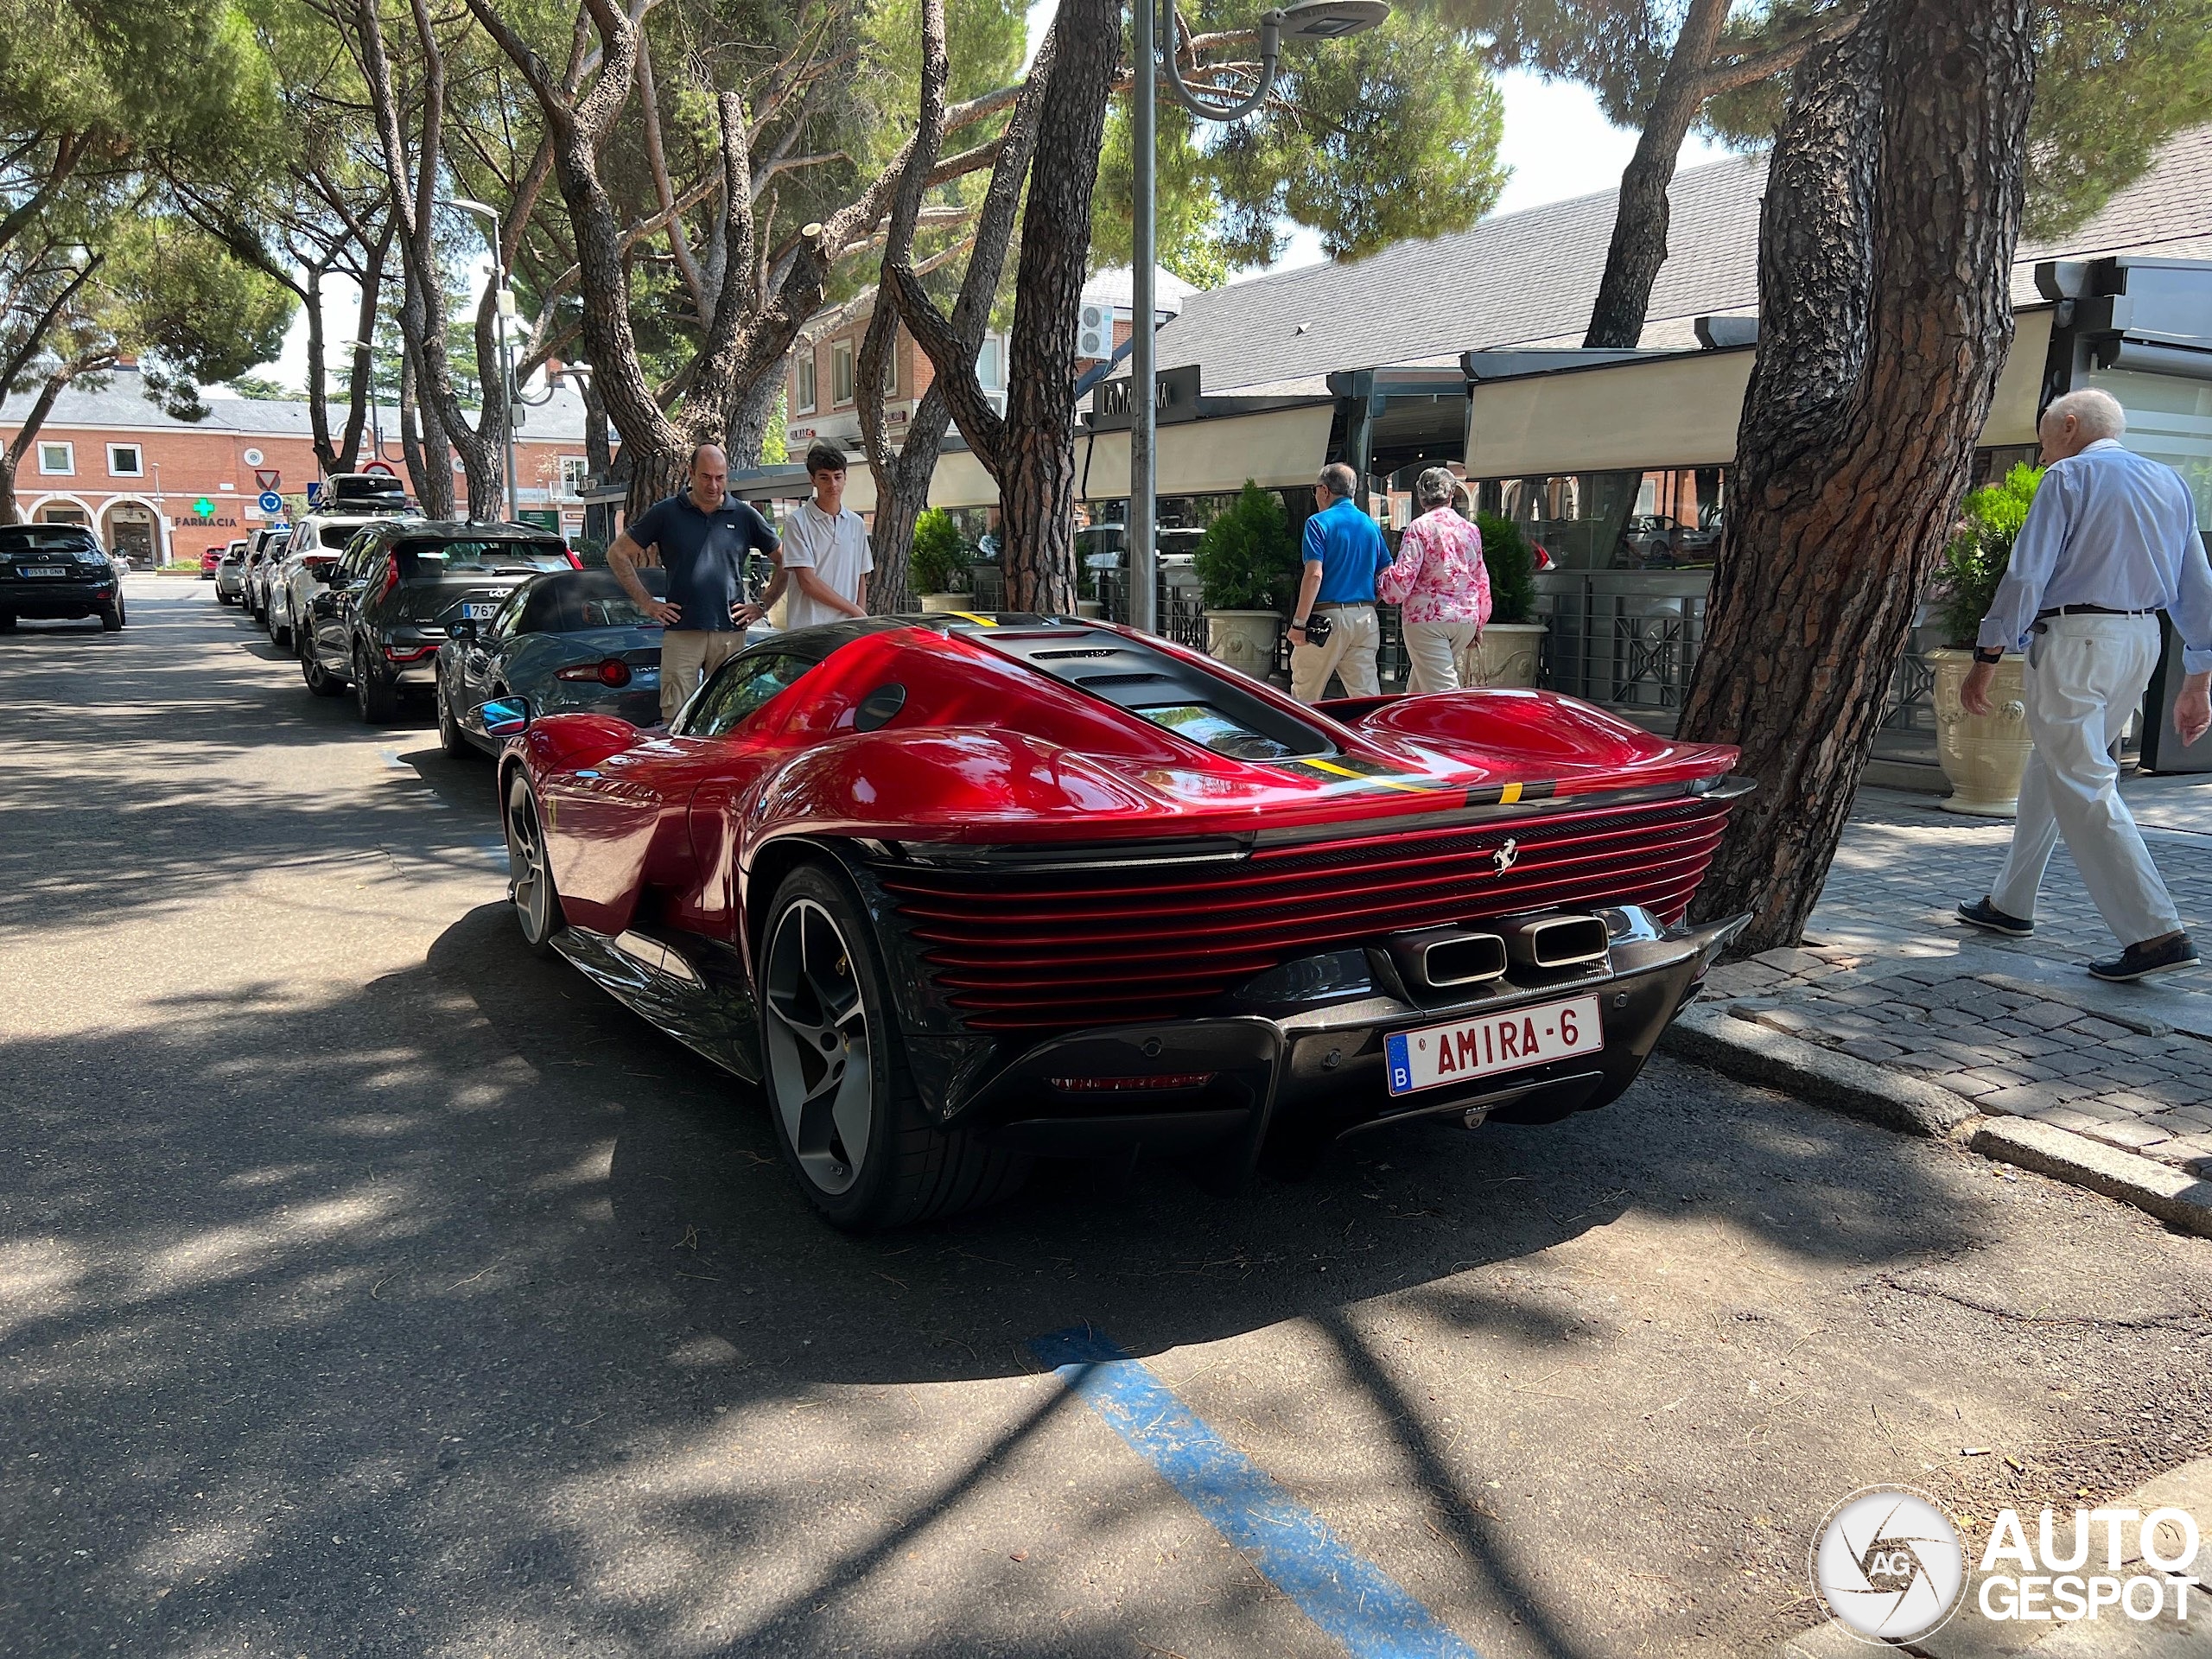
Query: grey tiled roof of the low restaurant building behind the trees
x=1530, y=278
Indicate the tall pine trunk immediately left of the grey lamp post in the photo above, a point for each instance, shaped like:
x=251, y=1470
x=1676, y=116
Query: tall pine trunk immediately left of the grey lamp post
x=1036, y=466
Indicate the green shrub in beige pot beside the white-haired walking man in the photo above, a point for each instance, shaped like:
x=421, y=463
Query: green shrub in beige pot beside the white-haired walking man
x=1983, y=755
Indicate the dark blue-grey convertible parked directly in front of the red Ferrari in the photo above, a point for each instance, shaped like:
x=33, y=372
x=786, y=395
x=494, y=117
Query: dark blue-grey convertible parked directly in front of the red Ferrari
x=572, y=643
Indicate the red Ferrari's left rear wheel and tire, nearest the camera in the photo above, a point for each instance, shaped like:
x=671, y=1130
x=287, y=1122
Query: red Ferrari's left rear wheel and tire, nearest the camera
x=848, y=1118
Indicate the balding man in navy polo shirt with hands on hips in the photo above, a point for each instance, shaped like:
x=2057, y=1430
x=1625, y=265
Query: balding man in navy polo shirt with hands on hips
x=702, y=539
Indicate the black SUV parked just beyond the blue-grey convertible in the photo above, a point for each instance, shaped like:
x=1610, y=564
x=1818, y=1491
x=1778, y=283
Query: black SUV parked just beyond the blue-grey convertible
x=384, y=612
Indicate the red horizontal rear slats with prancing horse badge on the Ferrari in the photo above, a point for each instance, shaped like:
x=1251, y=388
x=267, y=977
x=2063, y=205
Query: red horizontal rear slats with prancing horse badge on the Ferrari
x=1039, y=952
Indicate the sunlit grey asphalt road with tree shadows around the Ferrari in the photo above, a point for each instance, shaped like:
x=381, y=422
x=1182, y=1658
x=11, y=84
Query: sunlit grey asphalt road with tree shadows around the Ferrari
x=373, y=1288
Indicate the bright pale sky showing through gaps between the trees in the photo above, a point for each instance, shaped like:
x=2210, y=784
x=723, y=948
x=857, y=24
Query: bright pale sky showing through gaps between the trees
x=1556, y=143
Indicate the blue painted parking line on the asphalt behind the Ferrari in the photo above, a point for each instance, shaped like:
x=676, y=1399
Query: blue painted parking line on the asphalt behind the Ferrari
x=1353, y=1600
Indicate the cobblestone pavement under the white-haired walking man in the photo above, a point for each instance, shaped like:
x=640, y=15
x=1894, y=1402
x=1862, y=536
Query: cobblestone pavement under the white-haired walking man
x=1890, y=977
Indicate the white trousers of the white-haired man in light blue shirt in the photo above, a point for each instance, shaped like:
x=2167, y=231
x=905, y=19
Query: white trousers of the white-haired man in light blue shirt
x=2083, y=682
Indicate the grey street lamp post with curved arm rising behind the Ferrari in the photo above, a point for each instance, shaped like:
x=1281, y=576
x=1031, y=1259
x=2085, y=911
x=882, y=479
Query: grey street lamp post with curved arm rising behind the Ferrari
x=1308, y=21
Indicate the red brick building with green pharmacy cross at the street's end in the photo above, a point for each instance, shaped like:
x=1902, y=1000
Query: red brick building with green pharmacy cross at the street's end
x=167, y=490
